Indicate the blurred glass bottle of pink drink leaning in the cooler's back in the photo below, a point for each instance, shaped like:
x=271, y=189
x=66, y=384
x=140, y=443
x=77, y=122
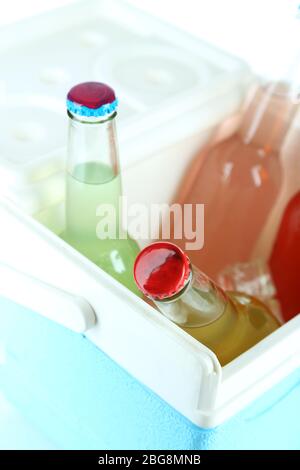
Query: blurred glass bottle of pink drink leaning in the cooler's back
x=238, y=180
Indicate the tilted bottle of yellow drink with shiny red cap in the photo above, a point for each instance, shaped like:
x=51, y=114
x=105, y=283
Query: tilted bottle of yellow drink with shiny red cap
x=228, y=323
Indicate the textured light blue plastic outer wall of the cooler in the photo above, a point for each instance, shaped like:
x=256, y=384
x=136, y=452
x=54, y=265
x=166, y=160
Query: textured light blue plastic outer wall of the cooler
x=83, y=400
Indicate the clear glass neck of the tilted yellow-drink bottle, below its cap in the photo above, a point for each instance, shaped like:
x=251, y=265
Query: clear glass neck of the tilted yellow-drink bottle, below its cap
x=199, y=303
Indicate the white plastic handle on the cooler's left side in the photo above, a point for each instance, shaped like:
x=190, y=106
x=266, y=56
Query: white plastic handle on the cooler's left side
x=69, y=310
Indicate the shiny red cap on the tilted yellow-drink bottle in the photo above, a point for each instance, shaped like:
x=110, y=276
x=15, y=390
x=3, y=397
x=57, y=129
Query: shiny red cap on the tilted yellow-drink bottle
x=161, y=270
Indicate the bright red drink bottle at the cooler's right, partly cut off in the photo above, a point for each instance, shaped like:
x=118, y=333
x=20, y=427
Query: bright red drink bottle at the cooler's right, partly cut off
x=285, y=260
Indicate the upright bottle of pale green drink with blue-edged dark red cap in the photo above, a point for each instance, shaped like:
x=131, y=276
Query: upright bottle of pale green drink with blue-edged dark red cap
x=93, y=183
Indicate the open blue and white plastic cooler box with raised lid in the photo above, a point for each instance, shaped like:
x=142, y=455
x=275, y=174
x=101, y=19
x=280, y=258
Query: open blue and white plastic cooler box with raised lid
x=91, y=364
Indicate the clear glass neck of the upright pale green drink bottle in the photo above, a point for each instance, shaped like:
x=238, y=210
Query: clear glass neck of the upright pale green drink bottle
x=92, y=150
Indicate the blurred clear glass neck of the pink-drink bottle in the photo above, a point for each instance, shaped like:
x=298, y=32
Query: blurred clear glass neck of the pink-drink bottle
x=269, y=116
